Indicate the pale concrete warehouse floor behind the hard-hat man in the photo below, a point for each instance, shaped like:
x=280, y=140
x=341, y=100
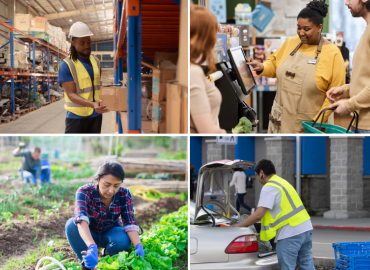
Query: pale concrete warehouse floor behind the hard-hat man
x=49, y=119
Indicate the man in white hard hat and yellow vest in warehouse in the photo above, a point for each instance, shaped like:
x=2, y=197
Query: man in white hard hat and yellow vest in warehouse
x=79, y=74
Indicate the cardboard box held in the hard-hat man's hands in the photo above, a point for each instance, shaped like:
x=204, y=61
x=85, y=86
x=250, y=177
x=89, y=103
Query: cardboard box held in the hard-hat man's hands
x=114, y=97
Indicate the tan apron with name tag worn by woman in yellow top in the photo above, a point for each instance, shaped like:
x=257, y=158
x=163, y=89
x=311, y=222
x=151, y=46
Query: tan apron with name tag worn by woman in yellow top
x=297, y=98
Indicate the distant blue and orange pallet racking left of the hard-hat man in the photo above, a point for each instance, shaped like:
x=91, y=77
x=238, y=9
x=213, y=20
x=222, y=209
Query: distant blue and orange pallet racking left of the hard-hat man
x=34, y=45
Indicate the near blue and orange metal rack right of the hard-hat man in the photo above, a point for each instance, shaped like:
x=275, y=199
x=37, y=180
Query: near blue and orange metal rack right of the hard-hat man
x=142, y=27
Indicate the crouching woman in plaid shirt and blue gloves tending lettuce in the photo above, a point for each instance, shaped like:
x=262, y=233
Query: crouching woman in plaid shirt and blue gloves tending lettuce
x=96, y=223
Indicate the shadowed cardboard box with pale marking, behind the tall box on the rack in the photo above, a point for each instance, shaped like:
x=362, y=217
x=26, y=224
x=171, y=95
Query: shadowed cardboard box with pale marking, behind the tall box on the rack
x=160, y=77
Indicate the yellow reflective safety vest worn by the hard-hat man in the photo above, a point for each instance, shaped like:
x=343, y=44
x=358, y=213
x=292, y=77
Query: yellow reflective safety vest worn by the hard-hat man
x=84, y=87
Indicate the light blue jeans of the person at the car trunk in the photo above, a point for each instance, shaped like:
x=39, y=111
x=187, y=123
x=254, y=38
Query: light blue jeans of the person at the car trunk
x=295, y=249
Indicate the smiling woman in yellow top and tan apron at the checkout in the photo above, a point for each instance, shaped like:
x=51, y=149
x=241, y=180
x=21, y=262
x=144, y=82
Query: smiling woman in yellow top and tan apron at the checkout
x=306, y=67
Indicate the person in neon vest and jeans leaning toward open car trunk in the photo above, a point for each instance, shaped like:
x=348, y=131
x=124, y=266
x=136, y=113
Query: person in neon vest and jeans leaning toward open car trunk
x=283, y=217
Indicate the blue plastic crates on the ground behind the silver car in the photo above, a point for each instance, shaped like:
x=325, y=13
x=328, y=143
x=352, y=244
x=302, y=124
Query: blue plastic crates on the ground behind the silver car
x=352, y=255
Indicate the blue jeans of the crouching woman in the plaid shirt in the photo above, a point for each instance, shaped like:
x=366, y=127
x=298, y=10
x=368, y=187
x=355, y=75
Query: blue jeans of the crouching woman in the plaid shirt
x=114, y=240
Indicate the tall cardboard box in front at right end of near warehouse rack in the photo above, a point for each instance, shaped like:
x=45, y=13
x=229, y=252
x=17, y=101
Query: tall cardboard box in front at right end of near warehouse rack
x=177, y=108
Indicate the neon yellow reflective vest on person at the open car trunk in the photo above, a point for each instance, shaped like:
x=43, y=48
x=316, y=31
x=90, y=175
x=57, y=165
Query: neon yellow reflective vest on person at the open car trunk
x=292, y=210
